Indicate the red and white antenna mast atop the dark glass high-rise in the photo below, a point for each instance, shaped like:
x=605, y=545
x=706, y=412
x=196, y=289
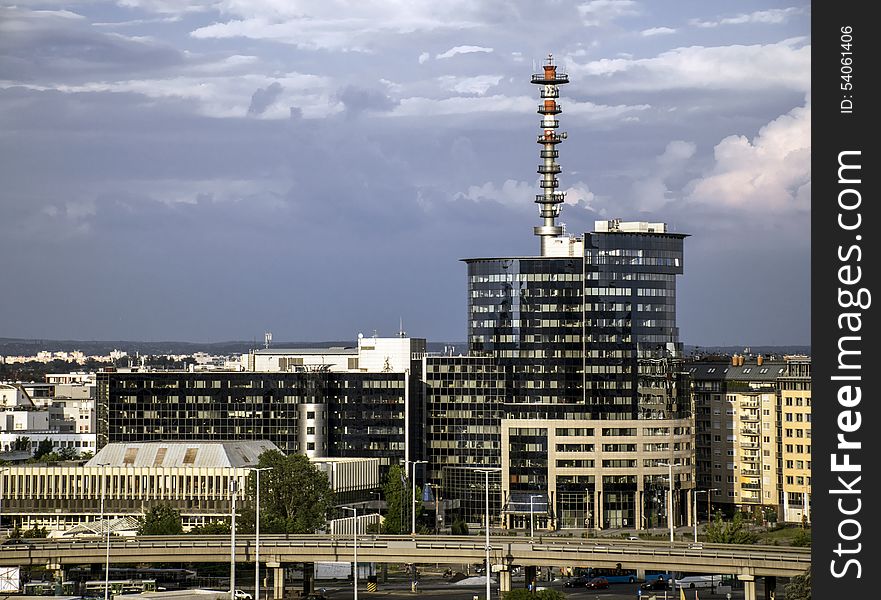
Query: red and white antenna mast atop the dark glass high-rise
x=550, y=199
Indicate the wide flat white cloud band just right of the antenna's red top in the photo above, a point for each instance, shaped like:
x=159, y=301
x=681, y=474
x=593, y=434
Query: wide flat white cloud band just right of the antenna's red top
x=783, y=65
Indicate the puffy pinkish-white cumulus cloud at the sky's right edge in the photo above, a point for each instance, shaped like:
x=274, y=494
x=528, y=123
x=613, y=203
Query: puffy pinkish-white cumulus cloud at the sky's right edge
x=770, y=173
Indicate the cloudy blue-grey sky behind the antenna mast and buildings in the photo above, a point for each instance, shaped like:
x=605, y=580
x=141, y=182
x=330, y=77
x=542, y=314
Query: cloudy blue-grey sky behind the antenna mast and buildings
x=211, y=170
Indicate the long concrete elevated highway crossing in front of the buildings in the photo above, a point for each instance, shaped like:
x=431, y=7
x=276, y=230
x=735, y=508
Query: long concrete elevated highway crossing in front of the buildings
x=745, y=561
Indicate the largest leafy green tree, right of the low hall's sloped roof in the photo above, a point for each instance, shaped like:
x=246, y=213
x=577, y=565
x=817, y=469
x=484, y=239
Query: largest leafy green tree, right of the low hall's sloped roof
x=295, y=497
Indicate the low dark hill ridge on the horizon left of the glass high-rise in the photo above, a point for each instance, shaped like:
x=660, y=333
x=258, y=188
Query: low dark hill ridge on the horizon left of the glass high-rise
x=29, y=347
